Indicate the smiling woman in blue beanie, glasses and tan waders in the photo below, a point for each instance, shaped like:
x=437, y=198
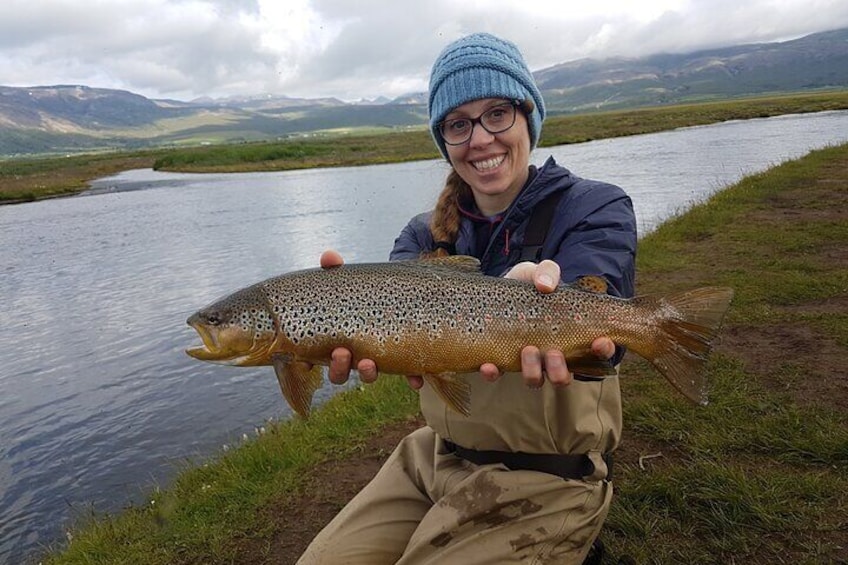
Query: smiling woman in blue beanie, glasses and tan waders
x=526, y=477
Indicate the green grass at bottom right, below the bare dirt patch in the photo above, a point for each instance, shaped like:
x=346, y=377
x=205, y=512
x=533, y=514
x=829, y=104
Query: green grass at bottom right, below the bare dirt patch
x=753, y=477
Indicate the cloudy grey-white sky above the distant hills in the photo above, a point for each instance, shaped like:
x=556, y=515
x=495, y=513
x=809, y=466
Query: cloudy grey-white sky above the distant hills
x=354, y=49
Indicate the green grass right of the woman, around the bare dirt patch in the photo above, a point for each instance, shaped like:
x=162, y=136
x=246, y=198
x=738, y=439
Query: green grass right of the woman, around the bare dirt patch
x=755, y=476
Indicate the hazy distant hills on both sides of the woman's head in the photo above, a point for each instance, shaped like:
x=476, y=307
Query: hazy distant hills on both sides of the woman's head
x=70, y=118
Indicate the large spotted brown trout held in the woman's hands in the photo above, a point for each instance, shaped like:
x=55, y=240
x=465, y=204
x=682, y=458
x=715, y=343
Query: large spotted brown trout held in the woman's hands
x=441, y=318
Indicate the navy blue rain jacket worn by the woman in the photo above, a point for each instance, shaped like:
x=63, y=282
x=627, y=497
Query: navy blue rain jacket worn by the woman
x=593, y=231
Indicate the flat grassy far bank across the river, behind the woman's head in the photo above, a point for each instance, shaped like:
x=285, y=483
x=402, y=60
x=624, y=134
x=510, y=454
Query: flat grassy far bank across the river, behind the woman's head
x=33, y=179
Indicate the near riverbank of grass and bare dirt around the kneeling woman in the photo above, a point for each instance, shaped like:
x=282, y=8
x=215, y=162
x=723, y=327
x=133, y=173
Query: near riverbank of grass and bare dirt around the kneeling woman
x=760, y=475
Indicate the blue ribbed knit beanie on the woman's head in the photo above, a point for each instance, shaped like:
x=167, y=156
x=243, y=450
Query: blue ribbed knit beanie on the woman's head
x=481, y=66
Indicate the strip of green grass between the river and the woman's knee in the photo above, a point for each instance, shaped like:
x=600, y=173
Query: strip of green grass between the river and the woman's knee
x=197, y=519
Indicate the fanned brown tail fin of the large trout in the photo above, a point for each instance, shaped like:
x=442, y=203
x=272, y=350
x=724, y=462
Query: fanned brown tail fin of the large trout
x=687, y=329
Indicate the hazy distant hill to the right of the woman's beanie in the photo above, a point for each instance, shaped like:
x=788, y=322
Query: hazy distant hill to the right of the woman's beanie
x=812, y=62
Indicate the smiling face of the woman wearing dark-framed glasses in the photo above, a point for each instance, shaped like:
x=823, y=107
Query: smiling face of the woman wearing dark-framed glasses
x=494, y=165
